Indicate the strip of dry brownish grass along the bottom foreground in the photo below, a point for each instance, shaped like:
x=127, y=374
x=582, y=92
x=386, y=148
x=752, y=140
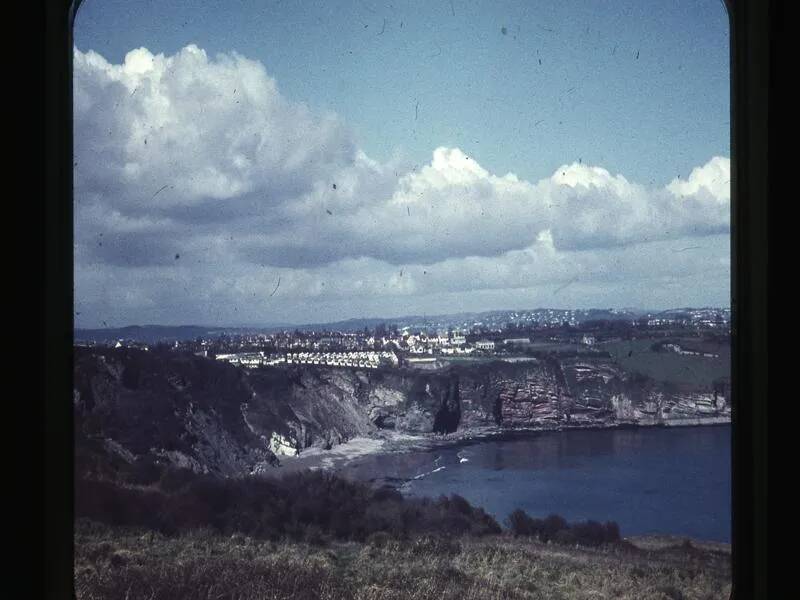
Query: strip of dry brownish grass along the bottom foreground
x=130, y=563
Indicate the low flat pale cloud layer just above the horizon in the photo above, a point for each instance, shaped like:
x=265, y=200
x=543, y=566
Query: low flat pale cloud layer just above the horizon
x=653, y=274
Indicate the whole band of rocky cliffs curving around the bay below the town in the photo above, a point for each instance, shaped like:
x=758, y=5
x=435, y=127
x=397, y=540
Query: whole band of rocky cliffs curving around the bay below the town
x=209, y=416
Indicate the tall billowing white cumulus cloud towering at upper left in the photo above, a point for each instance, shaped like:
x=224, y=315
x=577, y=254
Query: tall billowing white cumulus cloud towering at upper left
x=212, y=130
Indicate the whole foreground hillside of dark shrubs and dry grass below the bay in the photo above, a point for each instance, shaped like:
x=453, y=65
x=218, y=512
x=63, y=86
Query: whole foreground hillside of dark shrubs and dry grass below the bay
x=316, y=535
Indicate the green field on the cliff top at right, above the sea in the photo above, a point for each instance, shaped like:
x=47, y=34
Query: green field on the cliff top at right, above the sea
x=638, y=357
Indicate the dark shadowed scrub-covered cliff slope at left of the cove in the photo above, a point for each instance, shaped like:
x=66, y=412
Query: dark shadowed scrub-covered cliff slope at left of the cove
x=180, y=410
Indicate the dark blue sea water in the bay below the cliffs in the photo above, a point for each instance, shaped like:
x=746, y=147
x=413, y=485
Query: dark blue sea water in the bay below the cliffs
x=674, y=481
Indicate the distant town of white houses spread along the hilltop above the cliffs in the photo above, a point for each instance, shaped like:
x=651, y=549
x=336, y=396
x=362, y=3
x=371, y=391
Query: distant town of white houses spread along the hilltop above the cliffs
x=439, y=341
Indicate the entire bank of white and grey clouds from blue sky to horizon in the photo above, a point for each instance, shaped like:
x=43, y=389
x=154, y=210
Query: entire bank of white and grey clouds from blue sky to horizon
x=197, y=181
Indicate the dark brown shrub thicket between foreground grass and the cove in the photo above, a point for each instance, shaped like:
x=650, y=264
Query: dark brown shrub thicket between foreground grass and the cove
x=303, y=506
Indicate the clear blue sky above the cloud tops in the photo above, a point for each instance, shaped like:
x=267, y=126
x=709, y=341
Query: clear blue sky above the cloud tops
x=449, y=76
